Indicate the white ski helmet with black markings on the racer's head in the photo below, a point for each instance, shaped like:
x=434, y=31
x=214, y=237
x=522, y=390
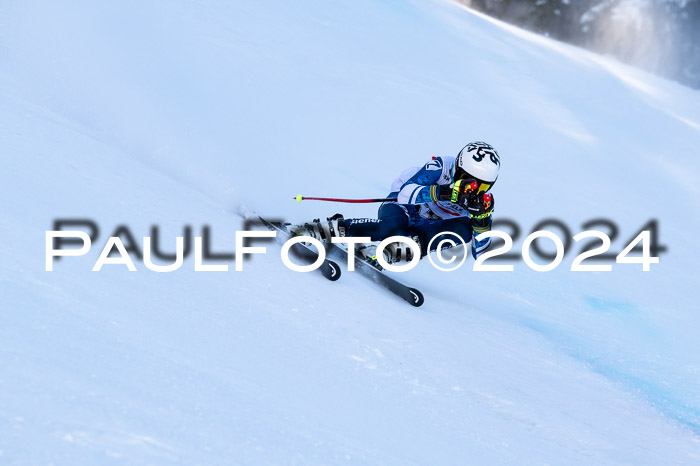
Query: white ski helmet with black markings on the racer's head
x=479, y=161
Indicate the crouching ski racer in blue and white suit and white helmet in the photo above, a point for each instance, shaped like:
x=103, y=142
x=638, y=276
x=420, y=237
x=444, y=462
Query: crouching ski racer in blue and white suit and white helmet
x=448, y=194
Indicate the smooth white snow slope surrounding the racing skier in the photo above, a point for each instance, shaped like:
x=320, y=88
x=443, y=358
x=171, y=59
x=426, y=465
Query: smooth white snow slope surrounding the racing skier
x=174, y=114
